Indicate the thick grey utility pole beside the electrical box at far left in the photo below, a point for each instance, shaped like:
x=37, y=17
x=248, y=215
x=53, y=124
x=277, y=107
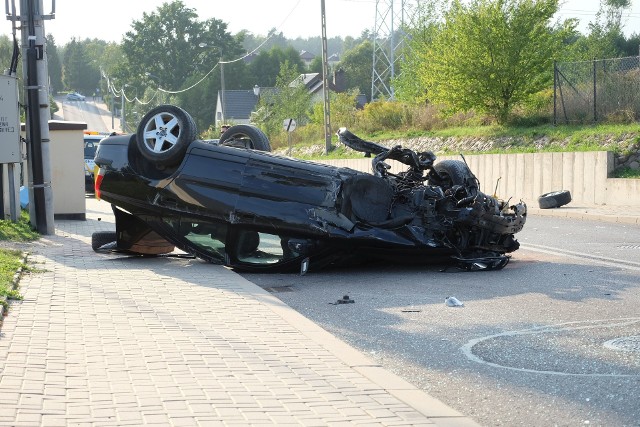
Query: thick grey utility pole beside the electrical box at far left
x=38, y=115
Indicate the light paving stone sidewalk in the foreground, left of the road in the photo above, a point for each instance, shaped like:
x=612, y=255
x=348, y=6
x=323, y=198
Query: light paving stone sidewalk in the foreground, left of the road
x=106, y=340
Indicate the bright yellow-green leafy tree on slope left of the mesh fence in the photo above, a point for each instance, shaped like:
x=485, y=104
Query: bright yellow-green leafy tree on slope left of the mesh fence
x=490, y=55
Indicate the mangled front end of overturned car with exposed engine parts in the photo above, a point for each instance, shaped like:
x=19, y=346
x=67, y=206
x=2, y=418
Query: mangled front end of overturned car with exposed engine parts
x=441, y=203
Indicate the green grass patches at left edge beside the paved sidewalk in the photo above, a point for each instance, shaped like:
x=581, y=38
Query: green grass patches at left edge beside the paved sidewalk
x=12, y=260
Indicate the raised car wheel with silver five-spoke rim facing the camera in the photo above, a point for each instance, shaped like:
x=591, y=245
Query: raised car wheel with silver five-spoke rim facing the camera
x=164, y=134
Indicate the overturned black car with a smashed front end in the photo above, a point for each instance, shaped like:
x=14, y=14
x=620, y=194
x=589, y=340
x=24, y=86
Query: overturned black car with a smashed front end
x=232, y=202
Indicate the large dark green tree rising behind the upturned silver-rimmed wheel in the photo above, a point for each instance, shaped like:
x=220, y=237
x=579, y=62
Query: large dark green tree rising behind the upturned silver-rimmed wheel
x=170, y=48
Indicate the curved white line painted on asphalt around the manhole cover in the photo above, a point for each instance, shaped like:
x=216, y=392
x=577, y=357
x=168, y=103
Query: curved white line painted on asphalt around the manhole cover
x=467, y=349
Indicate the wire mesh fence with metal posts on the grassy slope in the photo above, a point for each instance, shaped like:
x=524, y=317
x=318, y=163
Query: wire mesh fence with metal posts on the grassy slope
x=599, y=90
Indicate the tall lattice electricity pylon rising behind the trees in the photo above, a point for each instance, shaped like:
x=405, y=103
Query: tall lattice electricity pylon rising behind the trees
x=393, y=17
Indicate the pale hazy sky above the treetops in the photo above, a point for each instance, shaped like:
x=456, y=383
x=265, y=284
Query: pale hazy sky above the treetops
x=112, y=19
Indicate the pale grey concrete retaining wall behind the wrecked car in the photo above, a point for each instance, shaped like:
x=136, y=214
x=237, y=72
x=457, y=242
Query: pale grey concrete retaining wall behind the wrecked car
x=527, y=176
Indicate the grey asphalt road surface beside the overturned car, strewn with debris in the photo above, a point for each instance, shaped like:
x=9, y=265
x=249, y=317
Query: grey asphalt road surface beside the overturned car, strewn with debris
x=553, y=339
